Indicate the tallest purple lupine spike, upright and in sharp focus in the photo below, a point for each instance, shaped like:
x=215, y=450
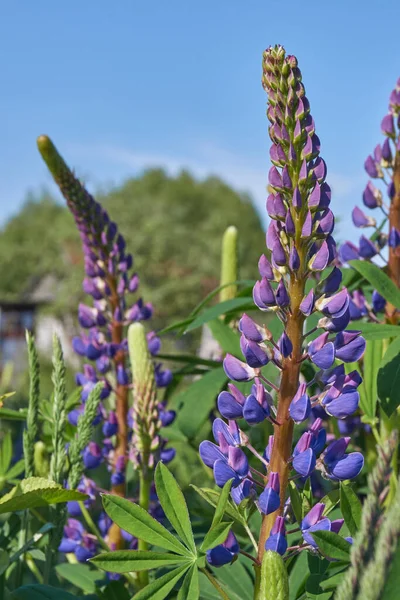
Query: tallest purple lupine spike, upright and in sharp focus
x=302, y=248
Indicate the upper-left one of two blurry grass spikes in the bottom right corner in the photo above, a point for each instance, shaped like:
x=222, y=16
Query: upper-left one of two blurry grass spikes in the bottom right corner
x=363, y=547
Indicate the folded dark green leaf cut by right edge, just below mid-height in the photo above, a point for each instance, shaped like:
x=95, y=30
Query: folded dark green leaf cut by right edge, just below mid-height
x=388, y=382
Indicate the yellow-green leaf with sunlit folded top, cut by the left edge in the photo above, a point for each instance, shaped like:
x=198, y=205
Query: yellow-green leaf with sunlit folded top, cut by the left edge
x=35, y=492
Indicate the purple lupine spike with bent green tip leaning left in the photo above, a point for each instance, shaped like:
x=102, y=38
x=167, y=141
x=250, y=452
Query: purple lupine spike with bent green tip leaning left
x=110, y=282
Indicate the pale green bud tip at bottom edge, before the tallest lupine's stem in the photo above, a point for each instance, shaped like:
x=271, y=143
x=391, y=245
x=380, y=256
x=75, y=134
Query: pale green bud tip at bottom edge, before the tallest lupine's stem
x=274, y=578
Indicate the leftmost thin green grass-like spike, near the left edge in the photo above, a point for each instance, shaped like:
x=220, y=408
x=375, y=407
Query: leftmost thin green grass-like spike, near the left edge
x=32, y=419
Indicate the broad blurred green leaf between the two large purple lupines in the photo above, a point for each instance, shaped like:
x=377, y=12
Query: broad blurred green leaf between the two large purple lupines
x=195, y=403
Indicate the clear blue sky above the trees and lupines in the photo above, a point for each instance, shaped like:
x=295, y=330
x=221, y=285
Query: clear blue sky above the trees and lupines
x=123, y=85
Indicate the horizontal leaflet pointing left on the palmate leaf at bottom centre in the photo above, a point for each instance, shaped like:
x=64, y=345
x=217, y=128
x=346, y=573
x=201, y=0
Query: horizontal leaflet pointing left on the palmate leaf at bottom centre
x=126, y=561
